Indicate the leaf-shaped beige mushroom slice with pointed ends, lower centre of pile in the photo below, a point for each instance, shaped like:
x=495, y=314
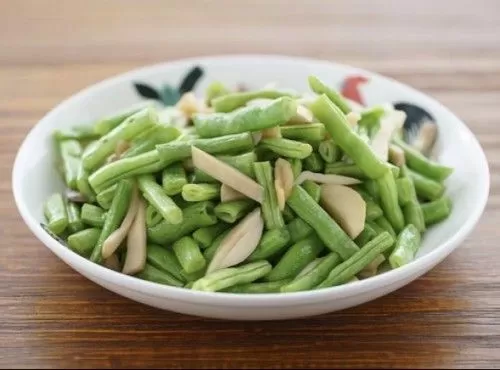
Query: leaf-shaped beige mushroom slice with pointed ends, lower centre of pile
x=239, y=243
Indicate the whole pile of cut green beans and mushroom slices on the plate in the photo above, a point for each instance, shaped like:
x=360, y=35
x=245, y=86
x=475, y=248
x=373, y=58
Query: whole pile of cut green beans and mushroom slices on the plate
x=248, y=192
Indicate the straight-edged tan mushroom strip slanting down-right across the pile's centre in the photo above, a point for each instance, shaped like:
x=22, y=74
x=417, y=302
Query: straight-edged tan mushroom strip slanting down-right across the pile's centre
x=227, y=174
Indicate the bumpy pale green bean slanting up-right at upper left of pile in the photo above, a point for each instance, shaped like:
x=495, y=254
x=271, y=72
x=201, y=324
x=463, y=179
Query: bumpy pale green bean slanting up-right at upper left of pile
x=130, y=127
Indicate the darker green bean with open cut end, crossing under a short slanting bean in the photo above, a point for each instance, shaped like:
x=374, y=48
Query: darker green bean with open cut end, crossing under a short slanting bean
x=197, y=215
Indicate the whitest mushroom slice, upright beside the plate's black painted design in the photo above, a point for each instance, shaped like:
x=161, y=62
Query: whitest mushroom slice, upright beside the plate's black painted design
x=389, y=124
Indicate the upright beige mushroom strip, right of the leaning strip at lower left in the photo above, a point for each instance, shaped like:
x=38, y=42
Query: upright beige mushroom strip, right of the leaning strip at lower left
x=136, y=242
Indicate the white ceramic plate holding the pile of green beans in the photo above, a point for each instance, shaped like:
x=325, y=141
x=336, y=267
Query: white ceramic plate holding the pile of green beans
x=34, y=178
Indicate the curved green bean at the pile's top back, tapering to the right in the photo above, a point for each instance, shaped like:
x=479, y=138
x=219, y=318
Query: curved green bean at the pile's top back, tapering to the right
x=230, y=102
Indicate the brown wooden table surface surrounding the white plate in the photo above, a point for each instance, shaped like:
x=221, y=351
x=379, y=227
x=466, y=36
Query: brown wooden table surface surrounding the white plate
x=50, y=316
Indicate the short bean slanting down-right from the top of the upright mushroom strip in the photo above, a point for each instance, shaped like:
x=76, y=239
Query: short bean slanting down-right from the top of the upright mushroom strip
x=155, y=195
